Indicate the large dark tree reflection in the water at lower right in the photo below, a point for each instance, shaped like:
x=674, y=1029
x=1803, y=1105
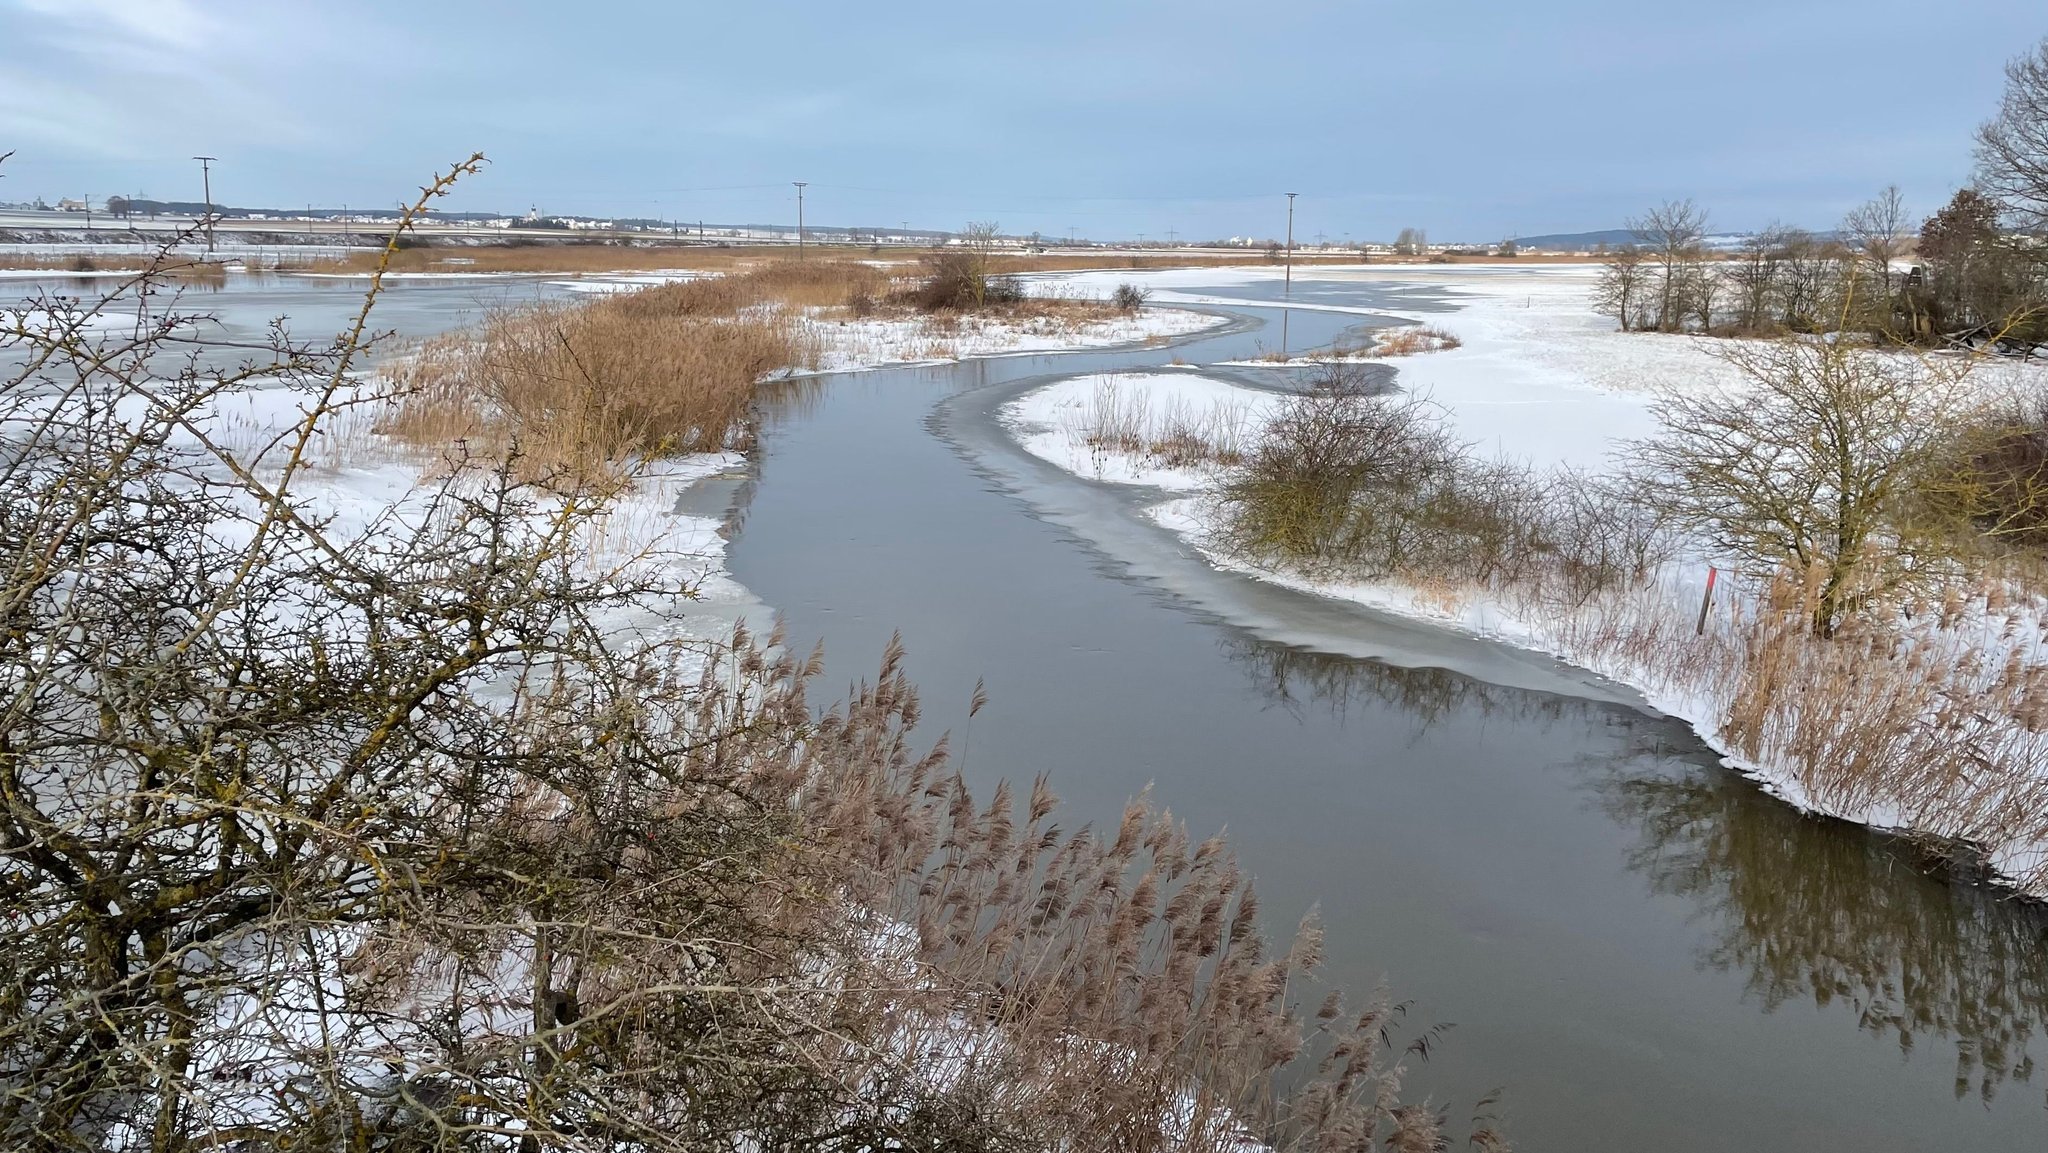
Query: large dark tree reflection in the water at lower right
x=1830, y=921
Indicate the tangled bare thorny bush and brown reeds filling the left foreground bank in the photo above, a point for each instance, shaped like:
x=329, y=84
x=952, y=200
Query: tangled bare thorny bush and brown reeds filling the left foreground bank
x=404, y=835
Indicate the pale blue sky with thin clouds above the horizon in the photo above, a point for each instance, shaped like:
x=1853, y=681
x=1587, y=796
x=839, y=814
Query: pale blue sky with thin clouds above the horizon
x=1474, y=120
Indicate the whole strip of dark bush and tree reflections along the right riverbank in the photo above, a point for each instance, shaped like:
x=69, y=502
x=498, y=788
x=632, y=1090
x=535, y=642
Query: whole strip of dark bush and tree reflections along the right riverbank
x=1803, y=908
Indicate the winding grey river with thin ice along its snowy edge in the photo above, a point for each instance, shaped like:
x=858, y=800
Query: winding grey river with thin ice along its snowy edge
x=1631, y=941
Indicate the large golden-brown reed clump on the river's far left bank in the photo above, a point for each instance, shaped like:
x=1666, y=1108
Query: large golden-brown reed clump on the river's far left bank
x=589, y=388
